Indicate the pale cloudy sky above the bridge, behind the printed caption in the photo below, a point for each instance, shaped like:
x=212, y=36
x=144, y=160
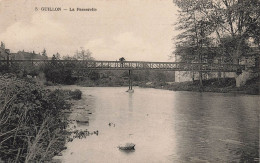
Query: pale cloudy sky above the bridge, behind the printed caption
x=134, y=29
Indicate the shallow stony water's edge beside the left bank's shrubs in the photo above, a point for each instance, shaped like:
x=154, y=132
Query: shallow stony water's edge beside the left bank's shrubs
x=79, y=116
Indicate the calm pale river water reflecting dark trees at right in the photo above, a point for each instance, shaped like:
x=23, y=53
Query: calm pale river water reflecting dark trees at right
x=166, y=126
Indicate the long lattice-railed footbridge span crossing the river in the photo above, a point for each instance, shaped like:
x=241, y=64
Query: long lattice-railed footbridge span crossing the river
x=126, y=65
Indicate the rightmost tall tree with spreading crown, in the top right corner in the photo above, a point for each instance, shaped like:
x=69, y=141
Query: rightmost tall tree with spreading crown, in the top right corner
x=236, y=20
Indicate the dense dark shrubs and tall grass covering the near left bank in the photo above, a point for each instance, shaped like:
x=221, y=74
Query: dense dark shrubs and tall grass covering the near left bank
x=32, y=120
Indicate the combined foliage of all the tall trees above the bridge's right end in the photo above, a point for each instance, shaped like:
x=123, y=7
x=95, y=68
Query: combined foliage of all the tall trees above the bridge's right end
x=224, y=24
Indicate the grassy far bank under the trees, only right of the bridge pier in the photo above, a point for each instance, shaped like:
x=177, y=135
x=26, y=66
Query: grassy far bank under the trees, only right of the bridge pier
x=212, y=85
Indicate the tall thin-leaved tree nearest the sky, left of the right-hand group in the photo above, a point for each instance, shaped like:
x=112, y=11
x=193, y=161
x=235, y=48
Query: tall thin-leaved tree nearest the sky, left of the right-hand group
x=196, y=29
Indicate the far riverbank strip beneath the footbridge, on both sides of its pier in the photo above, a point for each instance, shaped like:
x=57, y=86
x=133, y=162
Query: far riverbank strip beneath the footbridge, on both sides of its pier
x=227, y=85
